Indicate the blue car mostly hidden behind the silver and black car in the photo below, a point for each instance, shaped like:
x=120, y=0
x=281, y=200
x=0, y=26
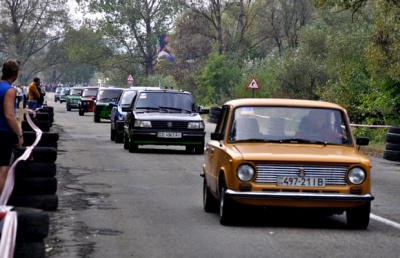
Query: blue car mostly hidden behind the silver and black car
x=118, y=116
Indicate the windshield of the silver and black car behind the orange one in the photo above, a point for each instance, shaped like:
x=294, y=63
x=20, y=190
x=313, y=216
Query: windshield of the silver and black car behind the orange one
x=167, y=101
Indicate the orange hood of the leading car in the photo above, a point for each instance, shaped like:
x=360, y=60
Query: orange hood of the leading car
x=300, y=153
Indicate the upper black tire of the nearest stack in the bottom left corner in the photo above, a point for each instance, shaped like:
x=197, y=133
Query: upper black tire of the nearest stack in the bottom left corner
x=33, y=224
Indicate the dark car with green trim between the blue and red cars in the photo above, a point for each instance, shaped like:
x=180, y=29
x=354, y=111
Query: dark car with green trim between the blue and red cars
x=102, y=107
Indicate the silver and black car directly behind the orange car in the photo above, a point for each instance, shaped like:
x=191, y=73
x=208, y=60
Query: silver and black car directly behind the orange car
x=164, y=117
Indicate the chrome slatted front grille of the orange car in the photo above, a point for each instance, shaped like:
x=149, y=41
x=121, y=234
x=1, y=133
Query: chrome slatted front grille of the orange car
x=334, y=175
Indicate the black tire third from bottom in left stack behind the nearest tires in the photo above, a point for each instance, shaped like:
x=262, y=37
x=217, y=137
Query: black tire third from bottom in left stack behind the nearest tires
x=35, y=169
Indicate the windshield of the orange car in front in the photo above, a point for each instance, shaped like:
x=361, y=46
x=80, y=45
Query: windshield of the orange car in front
x=289, y=125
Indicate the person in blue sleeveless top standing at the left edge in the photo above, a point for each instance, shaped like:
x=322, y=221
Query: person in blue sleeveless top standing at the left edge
x=10, y=132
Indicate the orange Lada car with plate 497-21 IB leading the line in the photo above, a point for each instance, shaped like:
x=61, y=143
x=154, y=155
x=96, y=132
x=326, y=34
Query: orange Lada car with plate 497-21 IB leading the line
x=286, y=153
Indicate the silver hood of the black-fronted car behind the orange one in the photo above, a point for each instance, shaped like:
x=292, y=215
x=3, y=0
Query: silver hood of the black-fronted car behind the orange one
x=162, y=116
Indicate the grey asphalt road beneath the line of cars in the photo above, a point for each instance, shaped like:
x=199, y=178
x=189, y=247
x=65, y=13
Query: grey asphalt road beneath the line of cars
x=149, y=204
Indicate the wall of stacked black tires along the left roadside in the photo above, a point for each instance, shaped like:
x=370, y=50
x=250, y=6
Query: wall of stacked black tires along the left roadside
x=35, y=187
